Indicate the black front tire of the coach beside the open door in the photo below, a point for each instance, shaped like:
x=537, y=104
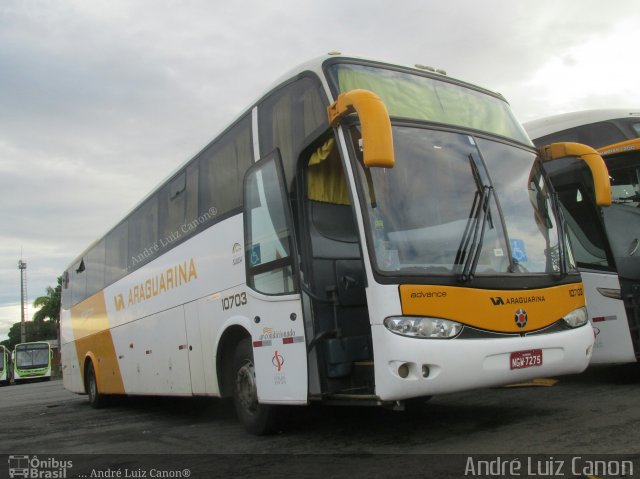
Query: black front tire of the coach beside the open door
x=258, y=419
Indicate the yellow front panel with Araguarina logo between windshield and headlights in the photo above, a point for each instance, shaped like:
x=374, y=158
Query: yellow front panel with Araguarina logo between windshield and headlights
x=492, y=310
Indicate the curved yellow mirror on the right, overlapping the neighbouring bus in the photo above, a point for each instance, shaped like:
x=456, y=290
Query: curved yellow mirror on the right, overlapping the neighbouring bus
x=601, y=183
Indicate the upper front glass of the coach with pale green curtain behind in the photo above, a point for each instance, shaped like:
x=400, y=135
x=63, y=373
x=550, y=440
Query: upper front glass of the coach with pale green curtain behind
x=425, y=98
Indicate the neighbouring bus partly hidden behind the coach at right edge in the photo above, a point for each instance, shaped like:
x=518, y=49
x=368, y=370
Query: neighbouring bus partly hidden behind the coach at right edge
x=605, y=240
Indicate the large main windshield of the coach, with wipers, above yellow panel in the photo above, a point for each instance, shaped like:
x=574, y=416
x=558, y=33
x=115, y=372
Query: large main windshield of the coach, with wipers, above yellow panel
x=444, y=206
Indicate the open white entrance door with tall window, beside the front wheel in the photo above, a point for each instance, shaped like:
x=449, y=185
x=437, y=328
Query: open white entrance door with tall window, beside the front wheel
x=277, y=330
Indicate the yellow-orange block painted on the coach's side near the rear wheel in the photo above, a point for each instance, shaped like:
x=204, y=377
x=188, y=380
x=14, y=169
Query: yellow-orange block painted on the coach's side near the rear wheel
x=90, y=324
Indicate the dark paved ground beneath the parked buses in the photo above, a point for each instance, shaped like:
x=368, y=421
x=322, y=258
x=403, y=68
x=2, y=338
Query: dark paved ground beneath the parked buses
x=593, y=413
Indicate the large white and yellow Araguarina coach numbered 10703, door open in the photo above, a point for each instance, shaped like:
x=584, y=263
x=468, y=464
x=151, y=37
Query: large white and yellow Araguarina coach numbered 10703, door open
x=365, y=233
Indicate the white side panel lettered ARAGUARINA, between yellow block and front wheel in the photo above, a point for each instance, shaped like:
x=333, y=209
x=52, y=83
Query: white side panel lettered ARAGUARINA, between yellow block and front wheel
x=174, y=334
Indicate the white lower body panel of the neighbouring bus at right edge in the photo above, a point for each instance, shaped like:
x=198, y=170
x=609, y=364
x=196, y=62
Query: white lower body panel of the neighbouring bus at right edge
x=609, y=320
